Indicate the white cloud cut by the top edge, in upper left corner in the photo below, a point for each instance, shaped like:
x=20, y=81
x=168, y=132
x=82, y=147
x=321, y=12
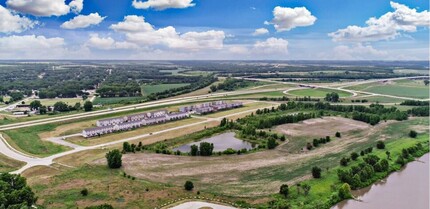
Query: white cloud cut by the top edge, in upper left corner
x=45, y=7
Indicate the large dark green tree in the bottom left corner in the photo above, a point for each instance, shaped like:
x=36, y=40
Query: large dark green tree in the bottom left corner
x=14, y=192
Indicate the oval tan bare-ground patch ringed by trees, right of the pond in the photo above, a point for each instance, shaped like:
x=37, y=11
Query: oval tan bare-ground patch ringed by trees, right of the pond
x=318, y=127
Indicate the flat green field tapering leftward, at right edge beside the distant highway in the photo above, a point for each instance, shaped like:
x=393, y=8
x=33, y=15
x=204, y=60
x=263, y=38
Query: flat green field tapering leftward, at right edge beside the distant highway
x=403, y=88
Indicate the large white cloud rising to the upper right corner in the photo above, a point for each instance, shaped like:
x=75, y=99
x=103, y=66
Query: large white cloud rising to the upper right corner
x=386, y=27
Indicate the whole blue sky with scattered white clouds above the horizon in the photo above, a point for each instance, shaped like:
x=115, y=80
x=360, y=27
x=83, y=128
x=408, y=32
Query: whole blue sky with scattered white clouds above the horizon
x=215, y=29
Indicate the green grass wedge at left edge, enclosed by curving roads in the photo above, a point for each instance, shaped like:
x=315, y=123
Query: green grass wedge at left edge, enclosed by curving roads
x=27, y=140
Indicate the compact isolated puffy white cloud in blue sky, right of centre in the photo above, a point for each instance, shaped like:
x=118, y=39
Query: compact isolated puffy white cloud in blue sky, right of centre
x=285, y=18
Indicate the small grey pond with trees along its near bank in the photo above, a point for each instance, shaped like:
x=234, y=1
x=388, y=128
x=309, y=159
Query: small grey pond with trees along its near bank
x=221, y=142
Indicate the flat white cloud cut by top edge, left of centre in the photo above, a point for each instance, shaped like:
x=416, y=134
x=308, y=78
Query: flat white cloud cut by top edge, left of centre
x=163, y=4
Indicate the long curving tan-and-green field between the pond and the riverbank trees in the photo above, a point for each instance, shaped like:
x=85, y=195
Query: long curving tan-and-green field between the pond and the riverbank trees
x=260, y=173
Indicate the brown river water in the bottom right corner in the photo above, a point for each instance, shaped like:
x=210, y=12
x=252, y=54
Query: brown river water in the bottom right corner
x=405, y=189
